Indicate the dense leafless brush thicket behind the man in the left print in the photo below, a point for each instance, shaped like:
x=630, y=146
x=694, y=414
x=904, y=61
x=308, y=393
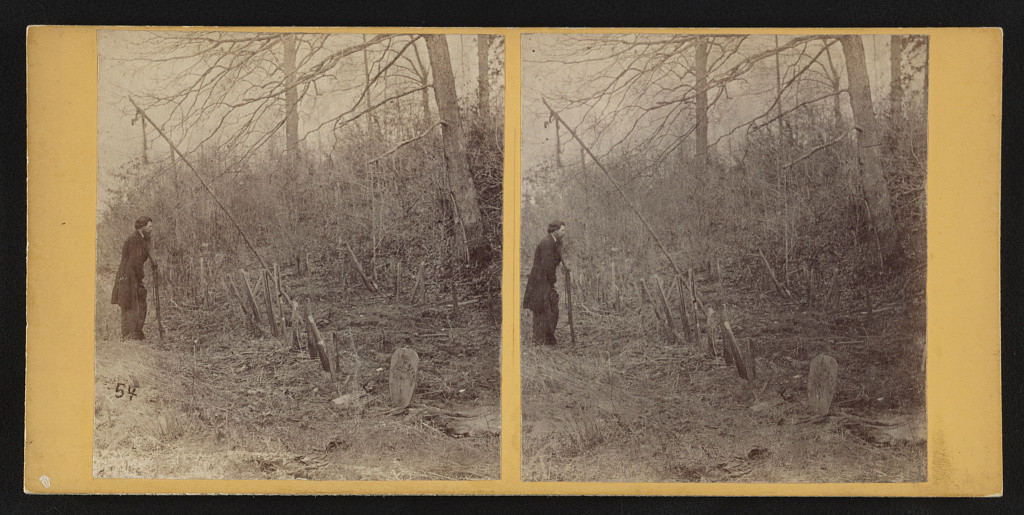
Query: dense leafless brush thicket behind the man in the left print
x=392, y=206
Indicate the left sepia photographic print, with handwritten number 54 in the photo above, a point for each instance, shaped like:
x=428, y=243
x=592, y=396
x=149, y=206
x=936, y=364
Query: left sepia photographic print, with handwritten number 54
x=298, y=255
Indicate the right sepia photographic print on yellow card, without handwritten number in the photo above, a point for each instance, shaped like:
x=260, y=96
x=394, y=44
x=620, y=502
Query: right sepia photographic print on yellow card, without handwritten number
x=723, y=248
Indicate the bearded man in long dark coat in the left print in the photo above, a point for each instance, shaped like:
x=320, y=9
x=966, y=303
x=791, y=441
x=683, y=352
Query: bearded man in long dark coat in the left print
x=129, y=290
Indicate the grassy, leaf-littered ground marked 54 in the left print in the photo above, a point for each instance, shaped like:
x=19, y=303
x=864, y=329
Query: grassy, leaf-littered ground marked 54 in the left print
x=211, y=402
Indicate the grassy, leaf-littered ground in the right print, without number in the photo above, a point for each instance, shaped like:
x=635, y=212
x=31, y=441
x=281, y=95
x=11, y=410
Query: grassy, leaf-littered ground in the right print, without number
x=626, y=405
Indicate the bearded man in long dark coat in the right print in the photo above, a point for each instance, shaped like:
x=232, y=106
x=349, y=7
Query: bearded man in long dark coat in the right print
x=541, y=296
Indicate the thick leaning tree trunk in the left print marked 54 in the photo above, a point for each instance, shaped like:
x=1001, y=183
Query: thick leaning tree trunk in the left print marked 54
x=460, y=182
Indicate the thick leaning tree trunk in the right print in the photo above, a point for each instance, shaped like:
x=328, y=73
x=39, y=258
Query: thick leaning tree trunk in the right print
x=874, y=183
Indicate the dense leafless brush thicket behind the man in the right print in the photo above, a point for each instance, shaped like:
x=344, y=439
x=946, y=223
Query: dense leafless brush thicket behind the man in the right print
x=796, y=198
